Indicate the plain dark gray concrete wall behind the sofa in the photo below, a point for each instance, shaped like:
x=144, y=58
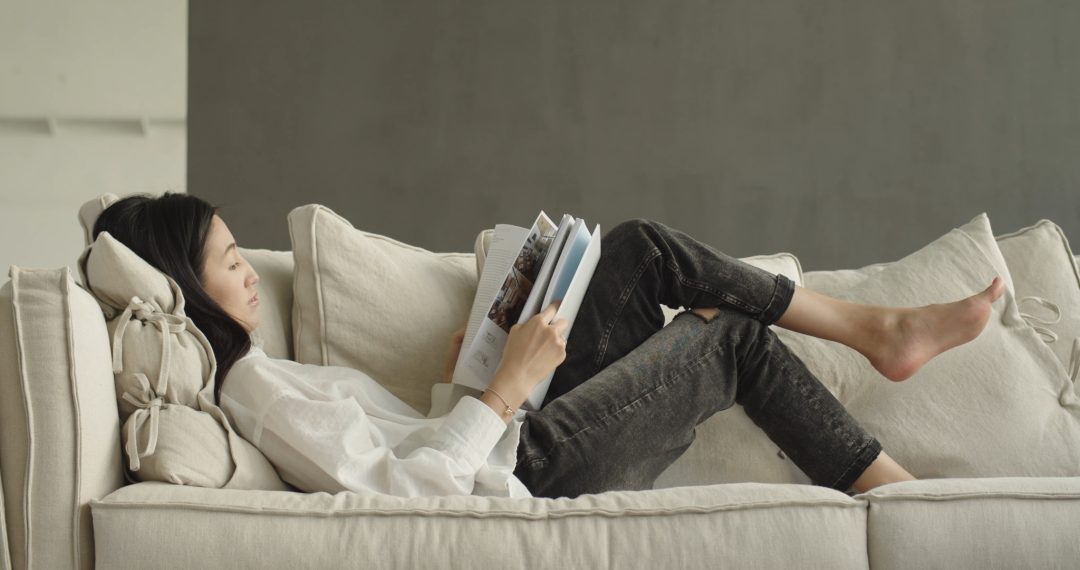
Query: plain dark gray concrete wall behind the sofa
x=847, y=133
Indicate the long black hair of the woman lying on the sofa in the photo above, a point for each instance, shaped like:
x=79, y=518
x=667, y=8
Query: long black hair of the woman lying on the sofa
x=170, y=234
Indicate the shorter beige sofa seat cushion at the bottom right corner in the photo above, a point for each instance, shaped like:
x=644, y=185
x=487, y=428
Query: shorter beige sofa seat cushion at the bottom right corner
x=978, y=523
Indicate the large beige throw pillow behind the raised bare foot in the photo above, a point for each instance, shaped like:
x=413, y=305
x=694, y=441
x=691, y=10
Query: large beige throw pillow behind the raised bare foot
x=1001, y=405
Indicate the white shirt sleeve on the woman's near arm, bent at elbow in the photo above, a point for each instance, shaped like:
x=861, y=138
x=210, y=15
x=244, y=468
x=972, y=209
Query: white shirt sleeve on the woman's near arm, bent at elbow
x=340, y=439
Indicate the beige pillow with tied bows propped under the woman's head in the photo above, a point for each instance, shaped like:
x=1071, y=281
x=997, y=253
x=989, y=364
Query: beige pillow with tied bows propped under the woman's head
x=165, y=368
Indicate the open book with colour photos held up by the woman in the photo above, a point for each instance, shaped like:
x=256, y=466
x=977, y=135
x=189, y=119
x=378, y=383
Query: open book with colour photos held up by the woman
x=525, y=272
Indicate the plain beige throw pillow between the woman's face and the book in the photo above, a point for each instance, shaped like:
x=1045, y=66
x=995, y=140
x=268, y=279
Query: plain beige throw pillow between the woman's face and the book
x=374, y=304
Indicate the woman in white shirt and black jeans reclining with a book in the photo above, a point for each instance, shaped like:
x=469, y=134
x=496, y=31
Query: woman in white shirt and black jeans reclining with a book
x=627, y=395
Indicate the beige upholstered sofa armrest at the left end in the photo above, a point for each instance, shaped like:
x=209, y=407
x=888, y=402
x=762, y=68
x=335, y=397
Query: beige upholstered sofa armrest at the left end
x=60, y=430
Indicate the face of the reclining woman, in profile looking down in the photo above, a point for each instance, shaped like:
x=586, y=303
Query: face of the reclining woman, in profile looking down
x=228, y=279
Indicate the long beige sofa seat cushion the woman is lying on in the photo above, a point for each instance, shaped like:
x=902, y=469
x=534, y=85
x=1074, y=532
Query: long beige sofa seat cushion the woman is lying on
x=738, y=526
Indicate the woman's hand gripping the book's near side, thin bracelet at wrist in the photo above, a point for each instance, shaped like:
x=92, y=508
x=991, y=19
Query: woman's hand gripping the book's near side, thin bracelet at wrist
x=535, y=349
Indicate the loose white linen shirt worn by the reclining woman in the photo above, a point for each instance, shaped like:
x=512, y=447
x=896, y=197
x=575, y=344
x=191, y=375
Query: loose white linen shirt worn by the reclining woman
x=333, y=428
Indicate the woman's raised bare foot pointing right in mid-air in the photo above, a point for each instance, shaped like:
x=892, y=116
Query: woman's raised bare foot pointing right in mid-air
x=912, y=336
